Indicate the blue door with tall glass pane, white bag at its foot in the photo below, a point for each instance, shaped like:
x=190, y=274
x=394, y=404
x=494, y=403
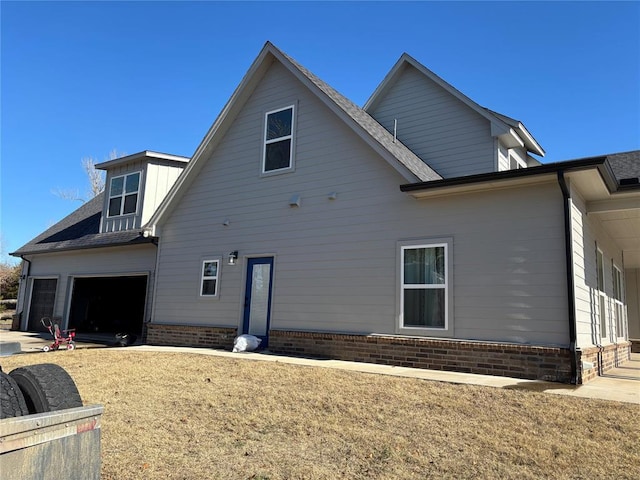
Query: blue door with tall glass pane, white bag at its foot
x=257, y=298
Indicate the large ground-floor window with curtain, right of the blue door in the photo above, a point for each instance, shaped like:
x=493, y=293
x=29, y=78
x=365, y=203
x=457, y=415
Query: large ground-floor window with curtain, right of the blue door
x=424, y=295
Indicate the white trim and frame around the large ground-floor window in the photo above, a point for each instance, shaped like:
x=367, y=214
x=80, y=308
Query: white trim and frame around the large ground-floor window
x=447, y=330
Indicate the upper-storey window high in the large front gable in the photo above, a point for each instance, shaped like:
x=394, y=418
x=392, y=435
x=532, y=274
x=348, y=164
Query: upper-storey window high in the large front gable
x=278, y=140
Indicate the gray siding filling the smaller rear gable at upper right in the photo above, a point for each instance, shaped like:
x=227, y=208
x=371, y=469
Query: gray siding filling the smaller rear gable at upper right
x=445, y=133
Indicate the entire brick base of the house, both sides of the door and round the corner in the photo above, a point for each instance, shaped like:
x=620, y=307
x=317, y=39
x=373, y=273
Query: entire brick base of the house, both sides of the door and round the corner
x=501, y=359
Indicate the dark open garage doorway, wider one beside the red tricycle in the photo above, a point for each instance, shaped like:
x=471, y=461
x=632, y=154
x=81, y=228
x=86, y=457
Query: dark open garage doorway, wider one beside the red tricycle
x=108, y=304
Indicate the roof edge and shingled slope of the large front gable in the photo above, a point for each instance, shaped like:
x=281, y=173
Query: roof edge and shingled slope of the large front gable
x=392, y=150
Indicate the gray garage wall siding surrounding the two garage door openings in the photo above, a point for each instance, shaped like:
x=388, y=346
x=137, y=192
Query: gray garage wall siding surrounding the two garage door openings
x=64, y=266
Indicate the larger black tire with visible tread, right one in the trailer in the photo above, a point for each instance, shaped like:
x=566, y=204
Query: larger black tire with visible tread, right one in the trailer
x=46, y=388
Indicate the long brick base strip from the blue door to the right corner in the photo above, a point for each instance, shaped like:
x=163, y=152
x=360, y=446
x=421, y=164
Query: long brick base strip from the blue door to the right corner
x=521, y=361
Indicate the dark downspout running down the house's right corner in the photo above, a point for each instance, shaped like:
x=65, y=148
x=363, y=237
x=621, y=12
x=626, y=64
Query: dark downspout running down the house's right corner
x=571, y=302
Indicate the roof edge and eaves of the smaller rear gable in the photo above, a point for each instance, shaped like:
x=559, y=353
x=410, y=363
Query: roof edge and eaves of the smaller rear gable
x=501, y=125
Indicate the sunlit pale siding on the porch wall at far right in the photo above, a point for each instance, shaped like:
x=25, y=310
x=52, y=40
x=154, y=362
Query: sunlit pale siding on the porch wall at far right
x=588, y=235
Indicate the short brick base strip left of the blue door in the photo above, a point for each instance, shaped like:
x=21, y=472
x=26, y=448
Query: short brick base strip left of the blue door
x=190, y=336
